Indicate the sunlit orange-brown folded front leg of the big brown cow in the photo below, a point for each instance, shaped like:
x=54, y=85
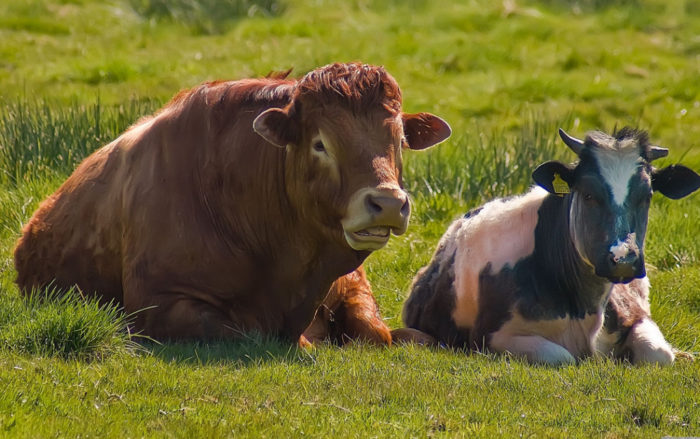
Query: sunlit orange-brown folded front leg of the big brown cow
x=349, y=312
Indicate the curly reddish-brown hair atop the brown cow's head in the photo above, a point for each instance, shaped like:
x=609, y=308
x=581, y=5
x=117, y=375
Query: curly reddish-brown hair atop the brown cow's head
x=355, y=86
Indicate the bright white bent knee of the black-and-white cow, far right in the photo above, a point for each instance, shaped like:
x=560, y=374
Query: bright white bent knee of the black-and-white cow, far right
x=648, y=344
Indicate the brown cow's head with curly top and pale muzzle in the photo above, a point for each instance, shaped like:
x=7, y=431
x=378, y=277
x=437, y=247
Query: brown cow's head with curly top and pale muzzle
x=344, y=132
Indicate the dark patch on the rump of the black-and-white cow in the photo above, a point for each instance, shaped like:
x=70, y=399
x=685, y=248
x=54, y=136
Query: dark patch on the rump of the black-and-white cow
x=432, y=300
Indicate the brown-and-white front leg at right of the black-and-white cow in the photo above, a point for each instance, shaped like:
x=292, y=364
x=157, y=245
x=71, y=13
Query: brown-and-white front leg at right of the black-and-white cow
x=629, y=332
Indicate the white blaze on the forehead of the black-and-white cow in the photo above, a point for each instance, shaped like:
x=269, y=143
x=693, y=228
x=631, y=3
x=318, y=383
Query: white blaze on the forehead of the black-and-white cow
x=617, y=166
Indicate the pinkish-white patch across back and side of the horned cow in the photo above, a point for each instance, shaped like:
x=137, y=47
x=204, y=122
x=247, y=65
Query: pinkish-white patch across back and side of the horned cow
x=502, y=233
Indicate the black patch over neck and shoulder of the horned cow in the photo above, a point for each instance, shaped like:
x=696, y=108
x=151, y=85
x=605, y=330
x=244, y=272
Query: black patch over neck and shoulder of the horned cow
x=549, y=284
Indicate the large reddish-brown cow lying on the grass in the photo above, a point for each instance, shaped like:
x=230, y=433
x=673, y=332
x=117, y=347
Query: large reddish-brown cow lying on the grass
x=236, y=206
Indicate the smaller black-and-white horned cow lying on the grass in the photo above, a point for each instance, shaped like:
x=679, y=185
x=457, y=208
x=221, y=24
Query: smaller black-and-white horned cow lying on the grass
x=536, y=275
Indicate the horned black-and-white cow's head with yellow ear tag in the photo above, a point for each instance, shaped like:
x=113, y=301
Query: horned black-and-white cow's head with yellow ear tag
x=609, y=190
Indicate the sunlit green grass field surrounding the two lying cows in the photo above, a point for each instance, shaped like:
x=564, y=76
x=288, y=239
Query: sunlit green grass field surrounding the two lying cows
x=504, y=74
